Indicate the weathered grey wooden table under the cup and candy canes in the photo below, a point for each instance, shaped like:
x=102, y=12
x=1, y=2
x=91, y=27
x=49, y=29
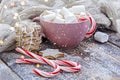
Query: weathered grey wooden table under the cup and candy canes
x=99, y=62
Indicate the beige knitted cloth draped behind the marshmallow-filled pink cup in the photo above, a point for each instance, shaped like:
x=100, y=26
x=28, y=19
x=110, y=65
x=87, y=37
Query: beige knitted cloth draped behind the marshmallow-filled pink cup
x=35, y=7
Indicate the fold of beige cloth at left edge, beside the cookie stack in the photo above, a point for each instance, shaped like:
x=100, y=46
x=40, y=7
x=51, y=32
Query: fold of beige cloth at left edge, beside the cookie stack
x=7, y=36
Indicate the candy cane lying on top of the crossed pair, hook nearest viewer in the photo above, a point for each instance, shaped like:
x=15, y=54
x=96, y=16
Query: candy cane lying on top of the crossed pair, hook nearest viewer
x=43, y=60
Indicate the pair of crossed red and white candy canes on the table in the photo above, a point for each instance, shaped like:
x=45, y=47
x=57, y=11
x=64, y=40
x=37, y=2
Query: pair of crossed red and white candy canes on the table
x=67, y=66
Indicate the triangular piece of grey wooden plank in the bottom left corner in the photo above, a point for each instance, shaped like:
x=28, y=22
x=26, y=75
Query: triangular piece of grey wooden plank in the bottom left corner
x=6, y=73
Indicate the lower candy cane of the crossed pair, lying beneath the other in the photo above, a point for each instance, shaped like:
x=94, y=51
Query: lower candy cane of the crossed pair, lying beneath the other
x=73, y=67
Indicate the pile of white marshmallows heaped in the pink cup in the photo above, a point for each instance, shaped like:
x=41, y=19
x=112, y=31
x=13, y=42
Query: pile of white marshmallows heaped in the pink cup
x=65, y=15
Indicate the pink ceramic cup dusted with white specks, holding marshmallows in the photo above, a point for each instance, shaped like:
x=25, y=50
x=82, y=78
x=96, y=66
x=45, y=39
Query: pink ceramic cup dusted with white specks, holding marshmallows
x=67, y=35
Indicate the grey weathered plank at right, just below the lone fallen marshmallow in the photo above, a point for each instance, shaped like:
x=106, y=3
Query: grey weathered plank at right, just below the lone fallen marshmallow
x=105, y=54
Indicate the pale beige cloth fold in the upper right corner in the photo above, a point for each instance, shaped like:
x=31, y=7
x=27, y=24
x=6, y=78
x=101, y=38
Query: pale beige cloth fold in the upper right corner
x=112, y=9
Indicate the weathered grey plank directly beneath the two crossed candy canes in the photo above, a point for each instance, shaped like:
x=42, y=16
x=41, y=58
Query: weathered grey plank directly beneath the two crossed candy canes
x=91, y=69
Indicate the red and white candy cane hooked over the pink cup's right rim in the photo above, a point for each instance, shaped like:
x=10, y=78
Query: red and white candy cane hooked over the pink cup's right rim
x=92, y=23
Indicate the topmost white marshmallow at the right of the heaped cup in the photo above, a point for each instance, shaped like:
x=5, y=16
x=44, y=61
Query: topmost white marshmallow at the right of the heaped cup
x=77, y=9
